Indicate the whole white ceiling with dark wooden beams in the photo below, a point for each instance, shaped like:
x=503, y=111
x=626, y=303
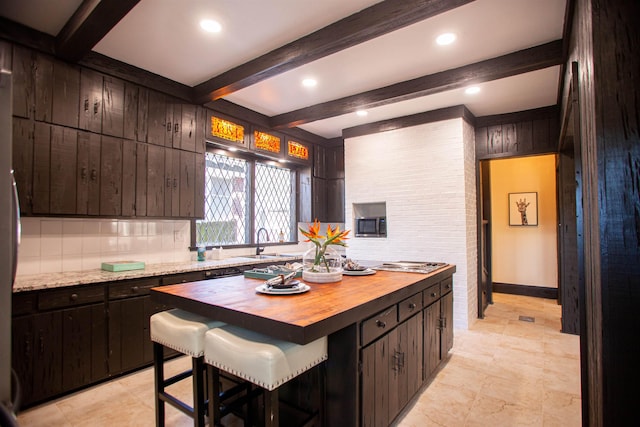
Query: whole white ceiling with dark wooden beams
x=378, y=56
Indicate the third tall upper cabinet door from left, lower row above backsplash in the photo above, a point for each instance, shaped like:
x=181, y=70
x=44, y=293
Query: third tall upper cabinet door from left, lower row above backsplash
x=64, y=169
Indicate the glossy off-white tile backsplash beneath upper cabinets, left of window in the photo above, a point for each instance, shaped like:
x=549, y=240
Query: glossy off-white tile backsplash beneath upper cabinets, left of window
x=51, y=245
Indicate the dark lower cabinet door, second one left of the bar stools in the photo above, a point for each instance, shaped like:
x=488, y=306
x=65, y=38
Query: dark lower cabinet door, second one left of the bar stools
x=85, y=350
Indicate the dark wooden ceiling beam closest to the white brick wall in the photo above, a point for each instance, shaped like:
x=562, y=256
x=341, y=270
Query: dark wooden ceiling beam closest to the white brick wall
x=523, y=61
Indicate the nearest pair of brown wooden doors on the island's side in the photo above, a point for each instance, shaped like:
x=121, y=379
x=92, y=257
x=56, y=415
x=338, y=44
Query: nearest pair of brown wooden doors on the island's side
x=391, y=372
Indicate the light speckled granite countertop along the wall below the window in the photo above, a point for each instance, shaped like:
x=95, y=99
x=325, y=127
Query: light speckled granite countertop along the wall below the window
x=71, y=278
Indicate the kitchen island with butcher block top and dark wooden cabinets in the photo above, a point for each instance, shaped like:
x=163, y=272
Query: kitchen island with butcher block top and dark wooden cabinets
x=387, y=332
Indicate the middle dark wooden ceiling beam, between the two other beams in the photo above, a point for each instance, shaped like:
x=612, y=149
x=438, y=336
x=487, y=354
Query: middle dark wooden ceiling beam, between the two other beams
x=369, y=23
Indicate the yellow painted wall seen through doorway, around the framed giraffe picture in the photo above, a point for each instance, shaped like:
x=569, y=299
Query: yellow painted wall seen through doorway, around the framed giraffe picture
x=524, y=255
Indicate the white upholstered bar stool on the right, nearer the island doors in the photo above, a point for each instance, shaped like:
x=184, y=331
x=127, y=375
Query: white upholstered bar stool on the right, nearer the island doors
x=260, y=359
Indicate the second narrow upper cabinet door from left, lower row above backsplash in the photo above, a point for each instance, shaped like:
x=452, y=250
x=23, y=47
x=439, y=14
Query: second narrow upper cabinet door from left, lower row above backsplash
x=41, y=167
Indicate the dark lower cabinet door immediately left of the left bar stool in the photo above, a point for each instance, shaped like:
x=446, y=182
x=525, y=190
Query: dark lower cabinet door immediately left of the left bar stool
x=127, y=325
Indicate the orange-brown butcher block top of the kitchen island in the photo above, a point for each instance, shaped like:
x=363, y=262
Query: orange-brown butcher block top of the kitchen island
x=299, y=318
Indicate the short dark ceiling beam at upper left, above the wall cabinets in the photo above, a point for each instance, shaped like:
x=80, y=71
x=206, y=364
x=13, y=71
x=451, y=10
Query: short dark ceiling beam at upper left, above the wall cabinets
x=89, y=24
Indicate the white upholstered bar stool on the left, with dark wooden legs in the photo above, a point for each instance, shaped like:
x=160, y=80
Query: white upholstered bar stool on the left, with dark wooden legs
x=184, y=332
